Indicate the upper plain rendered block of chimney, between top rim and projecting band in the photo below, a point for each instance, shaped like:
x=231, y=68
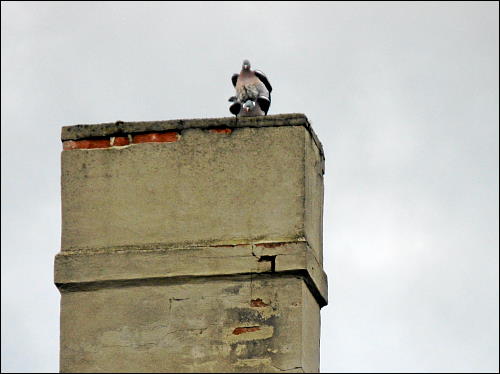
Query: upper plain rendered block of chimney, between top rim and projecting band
x=205, y=189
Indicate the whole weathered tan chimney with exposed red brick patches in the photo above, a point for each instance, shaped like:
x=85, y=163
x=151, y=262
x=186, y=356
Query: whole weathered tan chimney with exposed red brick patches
x=191, y=246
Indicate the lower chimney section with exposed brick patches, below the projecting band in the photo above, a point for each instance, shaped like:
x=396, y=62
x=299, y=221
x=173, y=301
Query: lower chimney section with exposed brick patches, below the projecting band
x=229, y=324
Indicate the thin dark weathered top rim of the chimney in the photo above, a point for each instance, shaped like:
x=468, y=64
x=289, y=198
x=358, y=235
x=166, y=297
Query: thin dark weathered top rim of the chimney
x=88, y=131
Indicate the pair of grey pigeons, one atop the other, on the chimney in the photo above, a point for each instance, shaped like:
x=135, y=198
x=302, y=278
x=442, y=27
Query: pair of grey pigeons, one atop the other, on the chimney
x=253, y=89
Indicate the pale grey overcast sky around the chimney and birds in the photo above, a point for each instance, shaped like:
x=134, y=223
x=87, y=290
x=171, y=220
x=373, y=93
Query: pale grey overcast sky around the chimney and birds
x=403, y=96
